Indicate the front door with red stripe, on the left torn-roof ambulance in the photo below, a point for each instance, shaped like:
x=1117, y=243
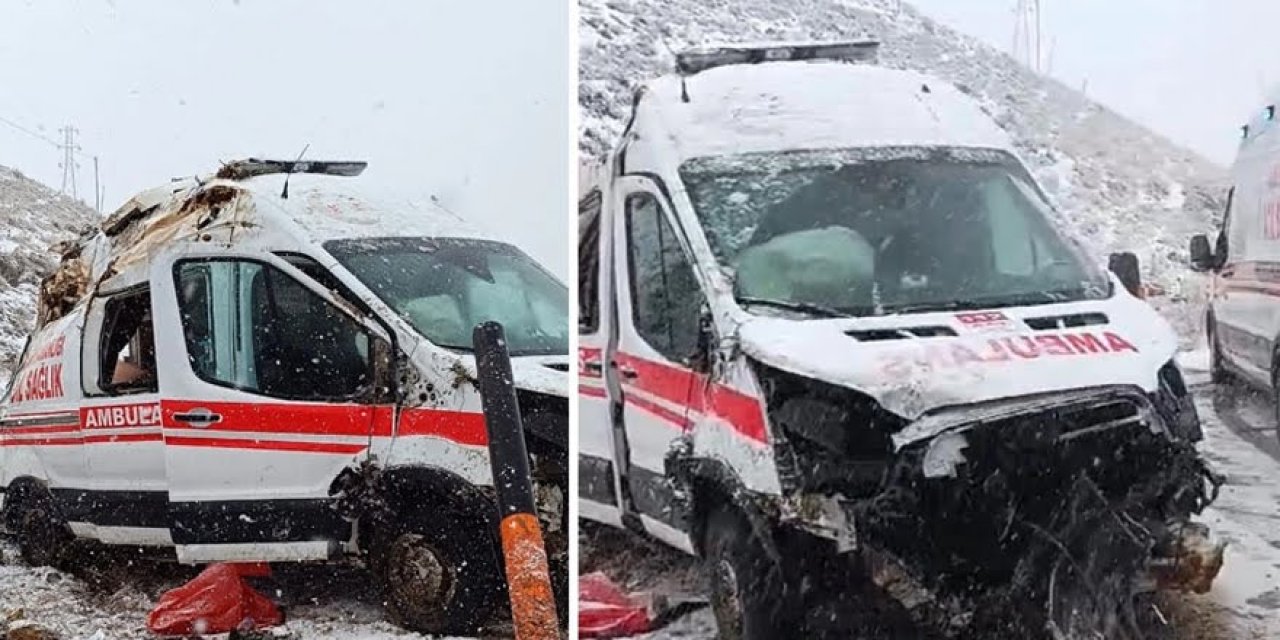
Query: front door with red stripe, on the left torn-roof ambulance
x=272, y=391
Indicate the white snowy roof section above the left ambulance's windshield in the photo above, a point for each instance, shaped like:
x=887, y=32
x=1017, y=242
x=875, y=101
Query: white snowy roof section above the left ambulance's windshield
x=335, y=208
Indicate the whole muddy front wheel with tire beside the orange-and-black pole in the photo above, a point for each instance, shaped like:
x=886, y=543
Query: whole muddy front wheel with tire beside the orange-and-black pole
x=437, y=574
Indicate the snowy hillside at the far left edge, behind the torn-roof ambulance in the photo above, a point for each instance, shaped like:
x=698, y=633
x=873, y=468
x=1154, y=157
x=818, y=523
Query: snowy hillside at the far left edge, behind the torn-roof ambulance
x=33, y=220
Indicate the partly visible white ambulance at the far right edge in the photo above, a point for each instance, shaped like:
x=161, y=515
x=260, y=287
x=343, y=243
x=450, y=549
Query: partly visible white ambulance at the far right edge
x=1244, y=316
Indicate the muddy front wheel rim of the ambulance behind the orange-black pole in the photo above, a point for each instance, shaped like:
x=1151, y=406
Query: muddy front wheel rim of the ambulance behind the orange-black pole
x=419, y=577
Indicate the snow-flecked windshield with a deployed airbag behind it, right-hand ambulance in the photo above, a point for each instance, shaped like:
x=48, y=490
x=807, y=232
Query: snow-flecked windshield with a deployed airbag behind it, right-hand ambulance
x=885, y=231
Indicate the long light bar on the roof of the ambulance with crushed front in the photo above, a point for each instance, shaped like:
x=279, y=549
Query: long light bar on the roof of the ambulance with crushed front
x=697, y=61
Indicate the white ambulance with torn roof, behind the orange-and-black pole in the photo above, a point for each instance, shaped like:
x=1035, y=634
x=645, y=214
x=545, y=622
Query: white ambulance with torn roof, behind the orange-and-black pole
x=269, y=364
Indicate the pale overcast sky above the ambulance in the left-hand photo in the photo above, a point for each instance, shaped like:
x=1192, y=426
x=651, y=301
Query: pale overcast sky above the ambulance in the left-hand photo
x=467, y=100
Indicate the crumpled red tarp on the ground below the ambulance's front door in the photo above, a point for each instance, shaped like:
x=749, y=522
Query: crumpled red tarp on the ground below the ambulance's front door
x=217, y=602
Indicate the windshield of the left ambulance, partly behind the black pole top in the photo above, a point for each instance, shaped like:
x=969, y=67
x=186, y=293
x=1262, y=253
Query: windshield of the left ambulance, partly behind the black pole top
x=447, y=286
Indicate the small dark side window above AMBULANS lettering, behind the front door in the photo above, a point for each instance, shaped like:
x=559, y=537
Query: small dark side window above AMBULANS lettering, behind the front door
x=127, y=350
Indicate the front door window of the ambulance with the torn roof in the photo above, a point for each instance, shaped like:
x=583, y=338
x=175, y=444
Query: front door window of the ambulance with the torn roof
x=254, y=328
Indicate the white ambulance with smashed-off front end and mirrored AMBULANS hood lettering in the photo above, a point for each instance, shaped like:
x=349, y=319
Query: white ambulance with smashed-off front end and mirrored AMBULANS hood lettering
x=829, y=330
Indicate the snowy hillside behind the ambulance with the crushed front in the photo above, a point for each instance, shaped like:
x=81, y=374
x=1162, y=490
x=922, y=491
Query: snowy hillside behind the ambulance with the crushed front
x=1121, y=188
